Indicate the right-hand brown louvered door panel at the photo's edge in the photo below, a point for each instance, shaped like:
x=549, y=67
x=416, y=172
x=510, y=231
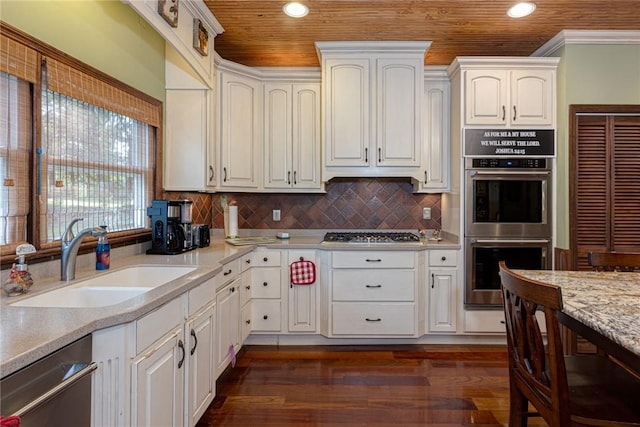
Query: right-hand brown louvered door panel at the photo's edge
x=626, y=185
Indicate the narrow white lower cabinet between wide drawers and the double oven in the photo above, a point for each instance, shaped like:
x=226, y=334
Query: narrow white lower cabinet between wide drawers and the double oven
x=443, y=291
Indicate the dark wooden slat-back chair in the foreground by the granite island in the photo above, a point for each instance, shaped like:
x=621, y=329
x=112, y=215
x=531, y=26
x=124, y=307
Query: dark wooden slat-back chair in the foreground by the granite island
x=566, y=391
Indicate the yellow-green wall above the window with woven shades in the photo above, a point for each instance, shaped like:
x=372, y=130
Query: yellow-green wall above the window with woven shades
x=107, y=34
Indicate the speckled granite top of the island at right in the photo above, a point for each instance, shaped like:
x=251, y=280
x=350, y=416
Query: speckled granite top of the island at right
x=607, y=302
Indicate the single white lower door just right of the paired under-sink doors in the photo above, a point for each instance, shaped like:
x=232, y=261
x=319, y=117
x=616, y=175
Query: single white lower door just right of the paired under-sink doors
x=228, y=324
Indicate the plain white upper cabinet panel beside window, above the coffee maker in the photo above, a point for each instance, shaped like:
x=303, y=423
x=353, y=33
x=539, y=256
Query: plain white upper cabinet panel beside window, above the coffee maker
x=189, y=153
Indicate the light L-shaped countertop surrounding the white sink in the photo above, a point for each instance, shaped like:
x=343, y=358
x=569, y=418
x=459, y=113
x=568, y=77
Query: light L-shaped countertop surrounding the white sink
x=30, y=333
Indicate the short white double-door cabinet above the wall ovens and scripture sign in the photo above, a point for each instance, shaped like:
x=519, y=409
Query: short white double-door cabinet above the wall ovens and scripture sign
x=509, y=92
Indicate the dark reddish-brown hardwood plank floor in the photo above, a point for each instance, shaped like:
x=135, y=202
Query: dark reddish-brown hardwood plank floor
x=414, y=385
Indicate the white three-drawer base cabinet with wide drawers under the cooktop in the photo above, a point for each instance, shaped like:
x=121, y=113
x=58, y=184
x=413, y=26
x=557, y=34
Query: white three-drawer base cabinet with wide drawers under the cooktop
x=373, y=293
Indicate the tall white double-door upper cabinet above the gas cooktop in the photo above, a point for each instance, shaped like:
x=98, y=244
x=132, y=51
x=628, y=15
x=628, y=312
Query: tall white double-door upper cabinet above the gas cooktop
x=372, y=107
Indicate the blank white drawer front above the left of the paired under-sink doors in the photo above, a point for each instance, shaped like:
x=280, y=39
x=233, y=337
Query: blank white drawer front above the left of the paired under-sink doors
x=154, y=325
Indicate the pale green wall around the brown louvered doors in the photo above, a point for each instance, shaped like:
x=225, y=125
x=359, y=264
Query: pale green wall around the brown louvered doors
x=589, y=74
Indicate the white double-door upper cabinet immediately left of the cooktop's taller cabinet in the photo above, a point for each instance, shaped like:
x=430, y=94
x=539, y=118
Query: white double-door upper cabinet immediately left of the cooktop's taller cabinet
x=292, y=136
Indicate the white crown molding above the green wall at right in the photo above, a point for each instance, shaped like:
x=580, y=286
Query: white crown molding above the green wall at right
x=593, y=37
